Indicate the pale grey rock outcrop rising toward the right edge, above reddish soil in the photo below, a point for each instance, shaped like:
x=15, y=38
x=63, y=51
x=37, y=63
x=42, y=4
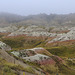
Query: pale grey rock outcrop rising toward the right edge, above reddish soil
x=66, y=36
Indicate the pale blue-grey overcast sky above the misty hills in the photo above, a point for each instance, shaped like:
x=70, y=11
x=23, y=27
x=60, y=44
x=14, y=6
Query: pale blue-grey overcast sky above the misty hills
x=28, y=7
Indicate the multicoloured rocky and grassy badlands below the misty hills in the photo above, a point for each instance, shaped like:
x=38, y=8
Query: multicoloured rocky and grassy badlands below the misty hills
x=44, y=50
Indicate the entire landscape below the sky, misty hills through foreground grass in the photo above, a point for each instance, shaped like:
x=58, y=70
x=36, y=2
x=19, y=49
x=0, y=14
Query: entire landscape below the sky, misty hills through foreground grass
x=47, y=48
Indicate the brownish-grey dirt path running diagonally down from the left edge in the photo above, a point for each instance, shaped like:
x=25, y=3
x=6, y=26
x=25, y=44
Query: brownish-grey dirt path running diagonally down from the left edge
x=11, y=59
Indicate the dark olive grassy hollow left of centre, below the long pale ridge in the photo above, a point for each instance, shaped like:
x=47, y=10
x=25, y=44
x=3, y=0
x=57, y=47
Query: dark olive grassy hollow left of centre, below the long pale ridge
x=22, y=42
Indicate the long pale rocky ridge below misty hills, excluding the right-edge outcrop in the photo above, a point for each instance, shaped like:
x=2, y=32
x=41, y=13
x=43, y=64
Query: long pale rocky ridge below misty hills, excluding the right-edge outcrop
x=32, y=31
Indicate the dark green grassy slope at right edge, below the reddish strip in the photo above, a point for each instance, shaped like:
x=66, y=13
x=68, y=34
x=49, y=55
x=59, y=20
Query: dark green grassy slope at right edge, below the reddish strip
x=63, y=51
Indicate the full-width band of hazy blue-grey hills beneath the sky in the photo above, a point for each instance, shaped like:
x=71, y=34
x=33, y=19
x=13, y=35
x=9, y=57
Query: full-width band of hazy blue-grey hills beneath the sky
x=40, y=19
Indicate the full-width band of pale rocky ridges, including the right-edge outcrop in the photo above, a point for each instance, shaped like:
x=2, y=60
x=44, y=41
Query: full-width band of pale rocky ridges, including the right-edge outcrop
x=66, y=33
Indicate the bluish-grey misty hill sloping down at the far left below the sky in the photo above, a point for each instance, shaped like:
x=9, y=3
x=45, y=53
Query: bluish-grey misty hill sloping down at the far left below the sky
x=7, y=18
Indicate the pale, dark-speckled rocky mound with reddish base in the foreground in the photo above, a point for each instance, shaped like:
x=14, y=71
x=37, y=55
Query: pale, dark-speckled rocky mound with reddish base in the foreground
x=32, y=55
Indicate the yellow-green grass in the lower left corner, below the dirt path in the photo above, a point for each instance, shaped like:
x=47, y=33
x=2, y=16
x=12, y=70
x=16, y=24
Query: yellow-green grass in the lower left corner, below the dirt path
x=9, y=68
